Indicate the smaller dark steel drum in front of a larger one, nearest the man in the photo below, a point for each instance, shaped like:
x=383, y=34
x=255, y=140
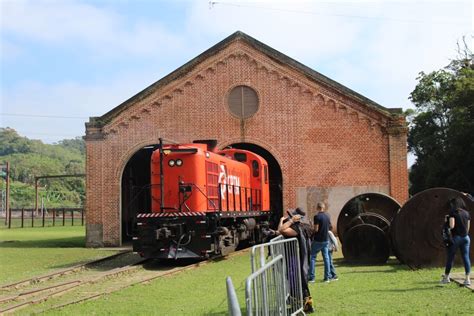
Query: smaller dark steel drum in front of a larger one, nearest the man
x=366, y=244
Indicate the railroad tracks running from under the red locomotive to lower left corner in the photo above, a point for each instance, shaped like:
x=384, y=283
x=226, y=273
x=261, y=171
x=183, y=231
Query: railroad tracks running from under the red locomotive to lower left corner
x=80, y=284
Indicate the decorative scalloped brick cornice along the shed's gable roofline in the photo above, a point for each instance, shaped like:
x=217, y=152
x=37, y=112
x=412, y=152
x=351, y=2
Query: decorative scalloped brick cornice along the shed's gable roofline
x=320, y=96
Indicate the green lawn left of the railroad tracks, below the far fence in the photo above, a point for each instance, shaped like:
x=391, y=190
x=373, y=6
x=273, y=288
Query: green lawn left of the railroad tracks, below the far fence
x=26, y=252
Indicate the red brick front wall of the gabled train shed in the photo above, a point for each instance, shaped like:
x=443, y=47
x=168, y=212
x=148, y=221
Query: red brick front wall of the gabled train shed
x=320, y=137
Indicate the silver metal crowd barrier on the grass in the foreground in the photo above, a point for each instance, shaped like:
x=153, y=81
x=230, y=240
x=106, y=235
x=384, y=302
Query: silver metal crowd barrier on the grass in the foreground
x=274, y=287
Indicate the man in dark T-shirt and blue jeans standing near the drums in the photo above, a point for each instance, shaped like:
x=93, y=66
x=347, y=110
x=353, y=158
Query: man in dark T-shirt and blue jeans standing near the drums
x=320, y=242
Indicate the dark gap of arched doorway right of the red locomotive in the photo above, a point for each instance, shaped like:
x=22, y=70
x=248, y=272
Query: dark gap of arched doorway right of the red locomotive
x=275, y=179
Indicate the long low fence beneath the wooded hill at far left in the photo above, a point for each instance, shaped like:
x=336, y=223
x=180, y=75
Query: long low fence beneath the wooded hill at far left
x=52, y=217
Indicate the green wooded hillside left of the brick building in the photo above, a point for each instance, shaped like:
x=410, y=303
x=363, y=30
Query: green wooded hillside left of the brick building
x=30, y=158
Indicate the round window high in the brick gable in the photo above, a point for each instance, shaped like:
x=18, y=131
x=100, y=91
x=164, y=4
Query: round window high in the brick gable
x=243, y=102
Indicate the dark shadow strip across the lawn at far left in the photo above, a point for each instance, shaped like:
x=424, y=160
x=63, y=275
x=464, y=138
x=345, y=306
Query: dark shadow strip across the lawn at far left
x=71, y=242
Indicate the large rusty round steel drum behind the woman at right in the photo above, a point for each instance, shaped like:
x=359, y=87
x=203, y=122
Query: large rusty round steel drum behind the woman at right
x=416, y=230
